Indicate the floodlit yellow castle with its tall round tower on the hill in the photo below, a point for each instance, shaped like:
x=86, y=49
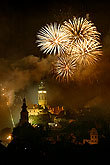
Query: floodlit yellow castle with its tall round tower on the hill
x=42, y=112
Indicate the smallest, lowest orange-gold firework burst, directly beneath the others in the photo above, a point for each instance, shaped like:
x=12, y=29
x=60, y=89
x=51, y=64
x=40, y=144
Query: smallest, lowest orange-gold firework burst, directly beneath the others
x=64, y=67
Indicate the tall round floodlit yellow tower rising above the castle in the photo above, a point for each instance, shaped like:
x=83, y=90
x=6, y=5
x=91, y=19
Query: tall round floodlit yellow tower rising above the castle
x=42, y=95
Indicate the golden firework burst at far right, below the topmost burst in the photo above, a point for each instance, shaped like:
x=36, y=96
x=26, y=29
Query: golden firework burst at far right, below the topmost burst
x=87, y=52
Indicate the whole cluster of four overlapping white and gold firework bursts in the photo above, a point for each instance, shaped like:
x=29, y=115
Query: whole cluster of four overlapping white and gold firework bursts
x=76, y=43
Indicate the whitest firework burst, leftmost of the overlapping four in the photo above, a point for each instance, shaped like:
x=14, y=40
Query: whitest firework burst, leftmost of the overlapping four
x=51, y=39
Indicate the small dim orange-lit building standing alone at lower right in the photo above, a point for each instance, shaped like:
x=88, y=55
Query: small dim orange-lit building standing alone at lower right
x=93, y=137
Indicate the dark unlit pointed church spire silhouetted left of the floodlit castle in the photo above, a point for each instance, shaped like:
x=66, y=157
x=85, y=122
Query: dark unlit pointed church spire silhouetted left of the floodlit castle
x=24, y=113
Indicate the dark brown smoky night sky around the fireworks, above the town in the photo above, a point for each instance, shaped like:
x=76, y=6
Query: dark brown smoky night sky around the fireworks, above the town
x=21, y=68
